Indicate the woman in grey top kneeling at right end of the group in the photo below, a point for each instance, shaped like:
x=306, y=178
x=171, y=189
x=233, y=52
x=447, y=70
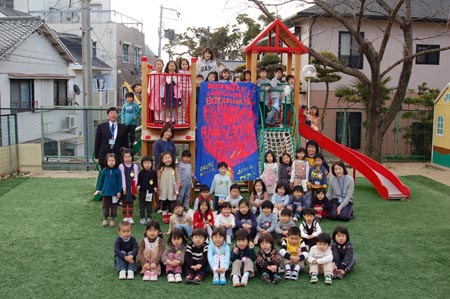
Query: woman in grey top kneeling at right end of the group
x=340, y=192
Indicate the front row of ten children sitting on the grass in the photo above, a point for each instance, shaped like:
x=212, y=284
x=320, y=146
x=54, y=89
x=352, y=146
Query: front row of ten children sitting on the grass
x=203, y=255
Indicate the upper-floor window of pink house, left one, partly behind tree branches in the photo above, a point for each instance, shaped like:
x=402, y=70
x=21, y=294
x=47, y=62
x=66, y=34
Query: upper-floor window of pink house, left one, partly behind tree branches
x=349, y=54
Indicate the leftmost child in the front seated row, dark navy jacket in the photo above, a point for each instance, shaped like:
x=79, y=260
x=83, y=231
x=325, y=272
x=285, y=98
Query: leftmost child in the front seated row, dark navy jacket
x=125, y=251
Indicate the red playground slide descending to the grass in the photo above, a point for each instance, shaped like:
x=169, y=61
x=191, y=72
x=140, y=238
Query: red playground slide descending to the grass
x=387, y=183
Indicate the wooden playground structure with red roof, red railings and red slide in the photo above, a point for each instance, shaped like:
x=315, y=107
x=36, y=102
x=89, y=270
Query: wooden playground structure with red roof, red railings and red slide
x=276, y=38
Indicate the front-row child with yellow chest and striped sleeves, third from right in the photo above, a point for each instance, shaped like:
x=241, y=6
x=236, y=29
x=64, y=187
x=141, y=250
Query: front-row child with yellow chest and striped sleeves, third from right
x=294, y=252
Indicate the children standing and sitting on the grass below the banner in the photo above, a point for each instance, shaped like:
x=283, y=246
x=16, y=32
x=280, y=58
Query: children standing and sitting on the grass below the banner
x=221, y=213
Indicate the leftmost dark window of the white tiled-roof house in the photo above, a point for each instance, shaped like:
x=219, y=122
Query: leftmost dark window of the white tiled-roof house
x=22, y=95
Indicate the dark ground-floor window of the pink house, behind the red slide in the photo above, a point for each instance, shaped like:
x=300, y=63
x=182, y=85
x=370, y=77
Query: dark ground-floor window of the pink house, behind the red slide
x=348, y=129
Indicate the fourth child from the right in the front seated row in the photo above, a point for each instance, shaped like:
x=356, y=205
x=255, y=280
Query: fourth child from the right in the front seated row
x=268, y=261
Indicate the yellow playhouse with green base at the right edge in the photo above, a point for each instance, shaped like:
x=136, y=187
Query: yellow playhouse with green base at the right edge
x=441, y=128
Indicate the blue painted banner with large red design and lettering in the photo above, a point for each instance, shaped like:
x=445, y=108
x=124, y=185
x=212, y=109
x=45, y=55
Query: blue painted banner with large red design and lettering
x=227, y=123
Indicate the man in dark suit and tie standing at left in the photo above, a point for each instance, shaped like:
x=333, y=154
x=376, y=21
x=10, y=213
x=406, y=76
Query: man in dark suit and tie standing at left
x=111, y=137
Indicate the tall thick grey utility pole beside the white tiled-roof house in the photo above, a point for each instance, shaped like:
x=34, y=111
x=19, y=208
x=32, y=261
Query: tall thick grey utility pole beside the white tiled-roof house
x=86, y=50
